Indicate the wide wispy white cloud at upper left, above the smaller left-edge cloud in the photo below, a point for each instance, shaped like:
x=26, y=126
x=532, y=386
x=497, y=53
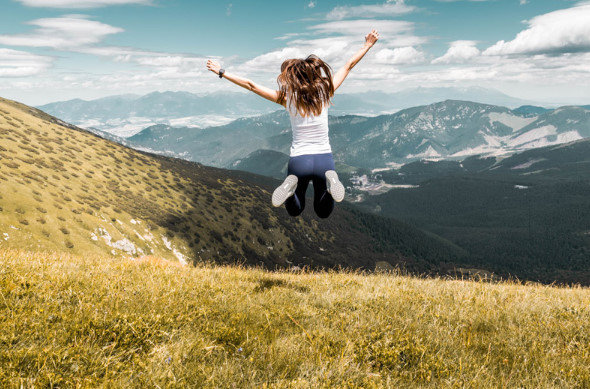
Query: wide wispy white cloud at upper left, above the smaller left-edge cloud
x=67, y=32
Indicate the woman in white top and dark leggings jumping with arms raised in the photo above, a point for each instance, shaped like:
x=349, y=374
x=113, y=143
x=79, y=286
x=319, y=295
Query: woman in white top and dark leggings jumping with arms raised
x=306, y=87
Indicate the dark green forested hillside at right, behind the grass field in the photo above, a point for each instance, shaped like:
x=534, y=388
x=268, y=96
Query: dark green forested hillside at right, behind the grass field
x=527, y=215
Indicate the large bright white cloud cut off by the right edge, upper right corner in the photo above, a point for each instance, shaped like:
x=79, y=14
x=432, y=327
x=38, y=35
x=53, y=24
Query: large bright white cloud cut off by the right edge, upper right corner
x=557, y=32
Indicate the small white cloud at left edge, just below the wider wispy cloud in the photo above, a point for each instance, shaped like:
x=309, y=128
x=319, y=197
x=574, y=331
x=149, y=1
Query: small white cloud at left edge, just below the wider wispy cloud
x=14, y=63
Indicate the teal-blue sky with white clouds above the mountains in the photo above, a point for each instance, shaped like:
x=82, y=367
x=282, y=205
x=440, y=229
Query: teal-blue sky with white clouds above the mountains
x=53, y=50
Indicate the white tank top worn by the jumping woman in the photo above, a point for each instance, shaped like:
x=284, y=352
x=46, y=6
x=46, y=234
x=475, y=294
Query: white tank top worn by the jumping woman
x=310, y=133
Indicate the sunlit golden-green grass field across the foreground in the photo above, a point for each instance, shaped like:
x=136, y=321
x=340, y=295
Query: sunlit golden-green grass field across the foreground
x=68, y=321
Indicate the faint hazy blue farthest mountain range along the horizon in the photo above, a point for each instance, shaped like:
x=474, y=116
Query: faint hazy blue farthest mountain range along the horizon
x=124, y=115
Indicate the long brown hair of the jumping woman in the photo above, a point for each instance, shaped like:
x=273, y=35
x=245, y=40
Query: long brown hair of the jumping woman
x=307, y=83
